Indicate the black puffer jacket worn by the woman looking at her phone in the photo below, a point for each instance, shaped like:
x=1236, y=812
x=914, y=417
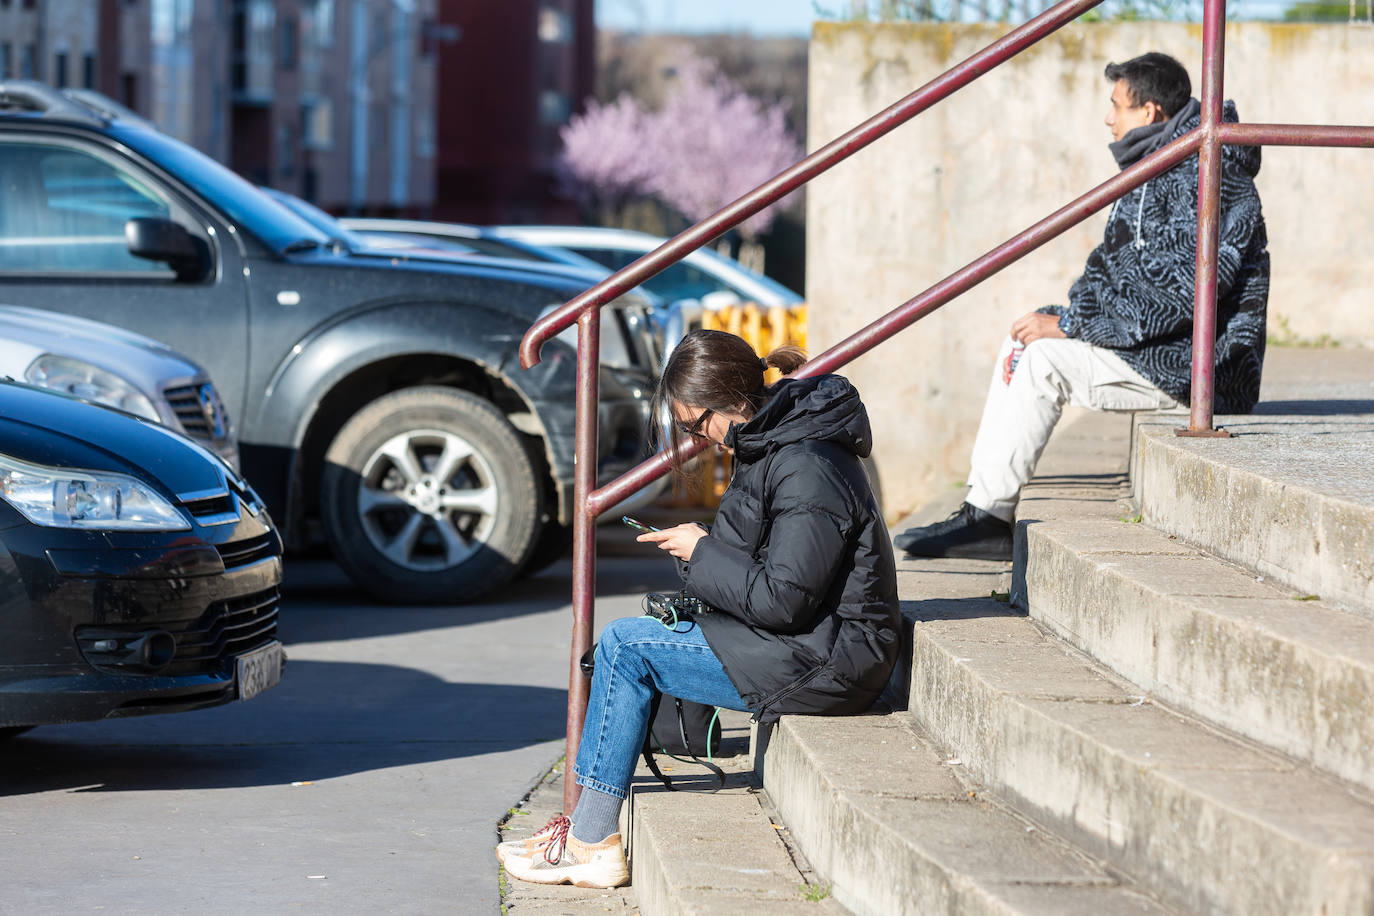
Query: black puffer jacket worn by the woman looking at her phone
x=799, y=562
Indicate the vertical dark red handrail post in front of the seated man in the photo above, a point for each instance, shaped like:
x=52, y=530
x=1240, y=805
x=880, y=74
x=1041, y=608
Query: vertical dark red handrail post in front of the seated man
x=1210, y=218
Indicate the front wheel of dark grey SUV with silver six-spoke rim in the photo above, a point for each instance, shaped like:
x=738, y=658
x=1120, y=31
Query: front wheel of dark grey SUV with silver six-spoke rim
x=429, y=496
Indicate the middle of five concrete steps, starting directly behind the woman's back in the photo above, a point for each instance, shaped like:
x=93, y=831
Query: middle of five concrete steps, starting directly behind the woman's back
x=1206, y=821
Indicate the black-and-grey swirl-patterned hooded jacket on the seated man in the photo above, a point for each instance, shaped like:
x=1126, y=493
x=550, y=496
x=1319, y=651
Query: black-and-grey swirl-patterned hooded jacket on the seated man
x=1136, y=296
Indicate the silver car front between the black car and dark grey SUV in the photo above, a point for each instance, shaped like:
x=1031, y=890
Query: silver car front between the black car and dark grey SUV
x=117, y=369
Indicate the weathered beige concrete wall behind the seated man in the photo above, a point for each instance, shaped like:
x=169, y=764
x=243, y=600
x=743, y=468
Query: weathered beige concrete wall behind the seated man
x=1017, y=145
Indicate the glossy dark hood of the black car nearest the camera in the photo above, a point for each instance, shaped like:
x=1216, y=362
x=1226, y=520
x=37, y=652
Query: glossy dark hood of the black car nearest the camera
x=57, y=431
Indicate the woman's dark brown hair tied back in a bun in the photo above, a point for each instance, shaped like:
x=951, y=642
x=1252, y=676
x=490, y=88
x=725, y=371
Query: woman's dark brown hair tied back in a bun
x=714, y=371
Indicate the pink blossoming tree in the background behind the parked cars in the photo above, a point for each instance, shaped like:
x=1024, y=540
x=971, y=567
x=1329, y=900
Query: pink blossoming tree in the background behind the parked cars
x=704, y=148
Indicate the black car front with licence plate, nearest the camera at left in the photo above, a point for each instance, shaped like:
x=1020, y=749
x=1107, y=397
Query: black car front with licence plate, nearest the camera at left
x=138, y=573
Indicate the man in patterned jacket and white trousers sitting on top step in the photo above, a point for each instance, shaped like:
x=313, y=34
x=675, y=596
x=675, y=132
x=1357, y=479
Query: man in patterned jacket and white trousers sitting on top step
x=1126, y=340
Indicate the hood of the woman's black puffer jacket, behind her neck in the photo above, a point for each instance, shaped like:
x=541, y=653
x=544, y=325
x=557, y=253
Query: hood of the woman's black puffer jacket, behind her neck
x=824, y=409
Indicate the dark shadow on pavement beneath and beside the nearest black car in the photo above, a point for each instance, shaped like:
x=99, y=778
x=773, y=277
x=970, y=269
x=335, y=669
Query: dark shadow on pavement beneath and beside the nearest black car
x=325, y=720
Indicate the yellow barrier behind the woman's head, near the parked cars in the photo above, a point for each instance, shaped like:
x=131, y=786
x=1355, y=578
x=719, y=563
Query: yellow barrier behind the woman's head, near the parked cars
x=766, y=329
